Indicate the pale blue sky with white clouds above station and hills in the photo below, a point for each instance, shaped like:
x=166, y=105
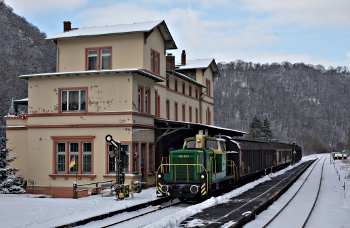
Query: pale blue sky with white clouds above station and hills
x=264, y=31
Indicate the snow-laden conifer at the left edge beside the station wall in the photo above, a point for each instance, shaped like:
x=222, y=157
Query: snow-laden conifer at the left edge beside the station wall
x=10, y=182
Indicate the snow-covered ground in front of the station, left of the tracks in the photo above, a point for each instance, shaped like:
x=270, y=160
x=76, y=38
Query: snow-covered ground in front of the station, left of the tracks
x=26, y=211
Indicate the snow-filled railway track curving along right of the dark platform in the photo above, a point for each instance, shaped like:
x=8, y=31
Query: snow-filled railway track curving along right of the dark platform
x=298, y=204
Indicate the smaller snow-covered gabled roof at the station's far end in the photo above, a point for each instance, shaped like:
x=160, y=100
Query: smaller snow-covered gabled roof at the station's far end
x=199, y=64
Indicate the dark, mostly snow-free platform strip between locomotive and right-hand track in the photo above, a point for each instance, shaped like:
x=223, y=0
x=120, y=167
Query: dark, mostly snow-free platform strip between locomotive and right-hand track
x=242, y=208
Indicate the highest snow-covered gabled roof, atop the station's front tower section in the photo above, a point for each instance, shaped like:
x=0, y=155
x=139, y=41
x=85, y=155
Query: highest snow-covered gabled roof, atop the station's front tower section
x=142, y=27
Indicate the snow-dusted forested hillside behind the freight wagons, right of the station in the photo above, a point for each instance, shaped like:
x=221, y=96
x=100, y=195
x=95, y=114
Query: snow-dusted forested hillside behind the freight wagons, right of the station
x=304, y=103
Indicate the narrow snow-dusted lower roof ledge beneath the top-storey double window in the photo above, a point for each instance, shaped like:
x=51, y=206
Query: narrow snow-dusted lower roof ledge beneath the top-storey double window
x=129, y=70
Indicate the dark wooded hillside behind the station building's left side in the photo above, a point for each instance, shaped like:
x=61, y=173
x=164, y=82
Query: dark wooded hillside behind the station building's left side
x=23, y=50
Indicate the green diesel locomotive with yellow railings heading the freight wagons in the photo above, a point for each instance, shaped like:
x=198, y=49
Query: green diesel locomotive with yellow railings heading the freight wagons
x=198, y=170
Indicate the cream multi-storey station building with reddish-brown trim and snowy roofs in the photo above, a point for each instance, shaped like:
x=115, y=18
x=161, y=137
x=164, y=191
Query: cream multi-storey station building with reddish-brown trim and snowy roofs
x=120, y=80
